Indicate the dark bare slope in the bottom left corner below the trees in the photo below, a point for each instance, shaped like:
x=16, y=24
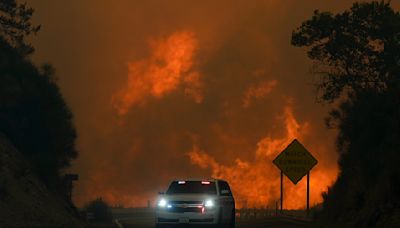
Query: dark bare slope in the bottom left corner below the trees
x=24, y=199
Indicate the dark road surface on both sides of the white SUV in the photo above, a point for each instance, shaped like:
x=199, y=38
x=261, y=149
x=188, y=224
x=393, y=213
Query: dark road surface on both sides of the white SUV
x=145, y=219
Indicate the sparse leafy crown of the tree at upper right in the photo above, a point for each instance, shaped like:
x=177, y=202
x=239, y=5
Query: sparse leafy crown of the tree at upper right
x=353, y=51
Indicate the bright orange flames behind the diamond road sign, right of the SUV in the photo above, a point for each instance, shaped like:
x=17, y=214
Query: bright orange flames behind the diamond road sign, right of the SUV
x=257, y=183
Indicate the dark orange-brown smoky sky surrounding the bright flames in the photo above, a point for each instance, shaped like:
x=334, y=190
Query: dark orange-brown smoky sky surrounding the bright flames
x=239, y=45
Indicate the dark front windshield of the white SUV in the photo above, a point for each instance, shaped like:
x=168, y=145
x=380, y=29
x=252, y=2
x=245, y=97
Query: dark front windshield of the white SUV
x=192, y=187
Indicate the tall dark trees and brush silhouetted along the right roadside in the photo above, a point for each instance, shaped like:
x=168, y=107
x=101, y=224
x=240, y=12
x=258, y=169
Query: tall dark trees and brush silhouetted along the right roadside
x=356, y=54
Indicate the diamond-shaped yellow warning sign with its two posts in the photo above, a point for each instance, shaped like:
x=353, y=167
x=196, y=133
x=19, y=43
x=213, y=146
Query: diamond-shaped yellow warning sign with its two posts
x=295, y=162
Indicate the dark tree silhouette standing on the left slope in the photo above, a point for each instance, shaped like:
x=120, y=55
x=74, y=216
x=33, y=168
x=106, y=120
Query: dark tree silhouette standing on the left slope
x=33, y=113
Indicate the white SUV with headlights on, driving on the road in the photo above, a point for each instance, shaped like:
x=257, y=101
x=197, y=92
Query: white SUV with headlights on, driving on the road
x=196, y=201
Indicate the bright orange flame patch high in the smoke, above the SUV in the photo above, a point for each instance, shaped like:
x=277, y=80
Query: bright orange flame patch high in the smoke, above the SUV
x=169, y=66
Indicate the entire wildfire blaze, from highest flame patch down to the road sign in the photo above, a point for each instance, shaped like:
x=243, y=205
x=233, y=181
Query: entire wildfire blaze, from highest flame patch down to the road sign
x=171, y=68
